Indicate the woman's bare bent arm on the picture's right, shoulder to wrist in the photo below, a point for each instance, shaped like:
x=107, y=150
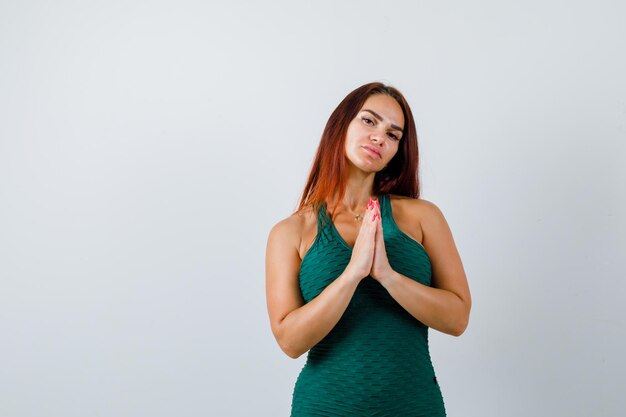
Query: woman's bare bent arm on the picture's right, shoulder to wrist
x=446, y=305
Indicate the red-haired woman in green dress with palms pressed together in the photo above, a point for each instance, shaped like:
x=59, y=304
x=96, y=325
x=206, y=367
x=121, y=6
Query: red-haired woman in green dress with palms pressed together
x=363, y=268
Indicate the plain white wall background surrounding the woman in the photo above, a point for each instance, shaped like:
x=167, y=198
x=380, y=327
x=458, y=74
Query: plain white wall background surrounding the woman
x=147, y=148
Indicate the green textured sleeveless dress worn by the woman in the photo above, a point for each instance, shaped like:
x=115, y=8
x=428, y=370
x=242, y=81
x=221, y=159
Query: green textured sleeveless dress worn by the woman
x=375, y=361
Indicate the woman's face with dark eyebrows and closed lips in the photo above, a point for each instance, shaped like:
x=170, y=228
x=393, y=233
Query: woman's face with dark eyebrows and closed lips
x=374, y=134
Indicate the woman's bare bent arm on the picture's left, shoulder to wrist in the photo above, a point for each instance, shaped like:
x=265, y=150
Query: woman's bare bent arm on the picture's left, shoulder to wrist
x=297, y=326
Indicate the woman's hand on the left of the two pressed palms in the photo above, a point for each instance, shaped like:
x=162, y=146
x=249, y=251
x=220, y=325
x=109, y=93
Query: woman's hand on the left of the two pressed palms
x=363, y=252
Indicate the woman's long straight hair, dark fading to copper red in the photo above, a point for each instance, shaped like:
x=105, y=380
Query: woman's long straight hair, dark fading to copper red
x=328, y=173
